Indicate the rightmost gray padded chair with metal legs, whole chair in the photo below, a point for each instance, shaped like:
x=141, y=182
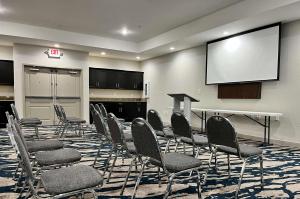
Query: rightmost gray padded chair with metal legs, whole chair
x=222, y=138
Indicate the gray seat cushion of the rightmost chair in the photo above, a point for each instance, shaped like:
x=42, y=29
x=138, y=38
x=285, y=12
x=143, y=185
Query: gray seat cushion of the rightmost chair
x=245, y=150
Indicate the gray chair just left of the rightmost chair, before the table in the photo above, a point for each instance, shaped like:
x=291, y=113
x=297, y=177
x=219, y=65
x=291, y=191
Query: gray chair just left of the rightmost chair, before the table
x=183, y=133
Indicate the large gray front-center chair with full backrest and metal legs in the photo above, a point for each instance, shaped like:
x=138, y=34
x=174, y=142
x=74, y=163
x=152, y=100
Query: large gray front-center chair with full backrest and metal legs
x=172, y=164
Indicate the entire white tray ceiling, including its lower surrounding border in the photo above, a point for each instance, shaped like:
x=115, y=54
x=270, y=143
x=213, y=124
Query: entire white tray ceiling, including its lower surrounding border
x=92, y=25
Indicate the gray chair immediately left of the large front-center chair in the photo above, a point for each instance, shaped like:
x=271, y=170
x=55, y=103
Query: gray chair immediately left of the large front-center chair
x=120, y=147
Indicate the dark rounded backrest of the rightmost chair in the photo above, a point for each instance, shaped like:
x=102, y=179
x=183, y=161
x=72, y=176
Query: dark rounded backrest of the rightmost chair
x=221, y=132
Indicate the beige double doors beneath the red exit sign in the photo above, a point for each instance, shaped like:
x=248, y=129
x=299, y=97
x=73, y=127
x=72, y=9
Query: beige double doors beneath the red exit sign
x=47, y=86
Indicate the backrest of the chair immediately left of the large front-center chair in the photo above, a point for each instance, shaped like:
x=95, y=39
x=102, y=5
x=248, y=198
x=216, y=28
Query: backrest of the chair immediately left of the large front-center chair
x=115, y=129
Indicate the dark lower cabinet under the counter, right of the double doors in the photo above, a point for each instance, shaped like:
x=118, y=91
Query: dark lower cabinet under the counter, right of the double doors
x=126, y=110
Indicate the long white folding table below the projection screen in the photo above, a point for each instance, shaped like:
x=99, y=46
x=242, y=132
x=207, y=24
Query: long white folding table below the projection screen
x=266, y=124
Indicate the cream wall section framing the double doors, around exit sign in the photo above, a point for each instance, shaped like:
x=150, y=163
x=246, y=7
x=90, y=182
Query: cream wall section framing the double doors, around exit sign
x=34, y=55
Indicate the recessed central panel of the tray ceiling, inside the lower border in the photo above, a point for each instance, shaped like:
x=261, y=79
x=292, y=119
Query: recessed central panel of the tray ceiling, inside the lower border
x=145, y=18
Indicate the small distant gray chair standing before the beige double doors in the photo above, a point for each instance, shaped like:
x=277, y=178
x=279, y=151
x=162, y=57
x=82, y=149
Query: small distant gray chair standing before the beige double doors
x=65, y=123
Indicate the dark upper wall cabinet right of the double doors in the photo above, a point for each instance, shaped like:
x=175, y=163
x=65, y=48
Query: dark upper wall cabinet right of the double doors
x=115, y=79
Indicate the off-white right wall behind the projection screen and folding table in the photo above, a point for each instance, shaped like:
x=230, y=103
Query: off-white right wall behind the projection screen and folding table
x=184, y=71
